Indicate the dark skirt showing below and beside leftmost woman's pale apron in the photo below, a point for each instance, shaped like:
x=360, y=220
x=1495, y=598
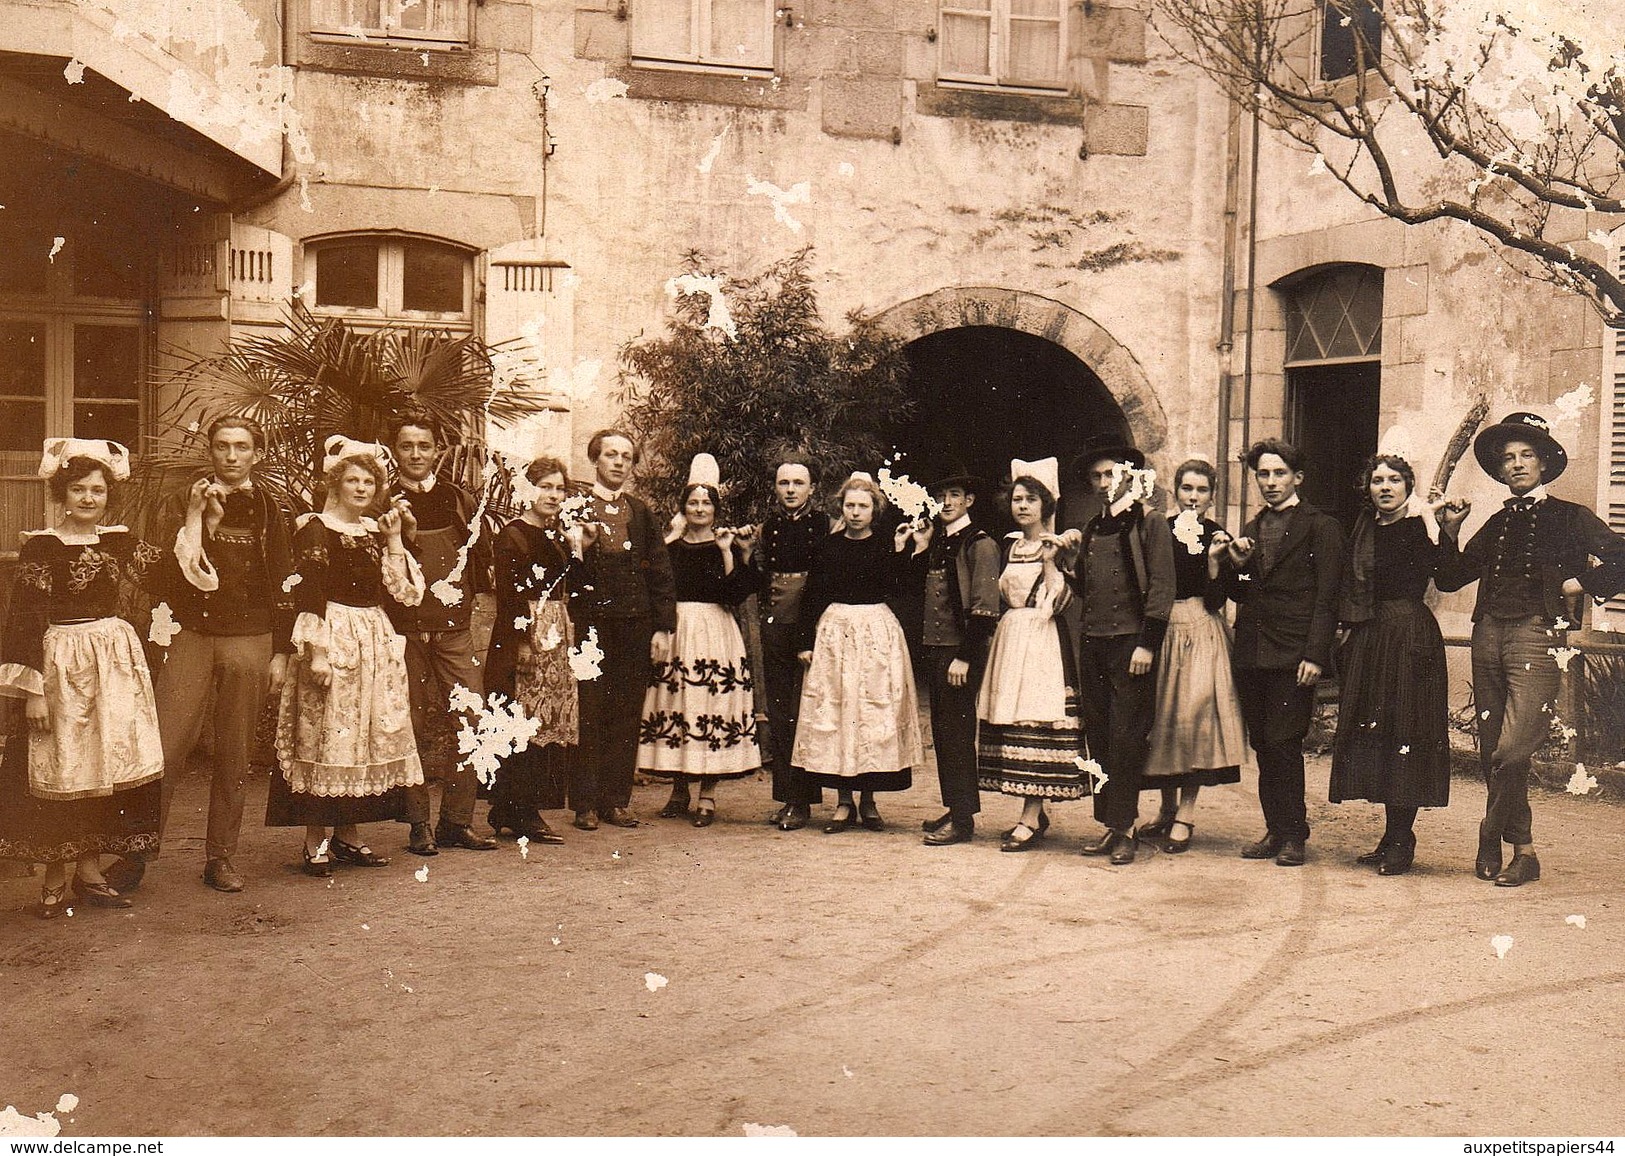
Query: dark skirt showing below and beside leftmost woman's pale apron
x=61, y=830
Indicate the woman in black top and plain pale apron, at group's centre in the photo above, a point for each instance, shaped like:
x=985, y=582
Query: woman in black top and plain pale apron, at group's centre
x=859, y=728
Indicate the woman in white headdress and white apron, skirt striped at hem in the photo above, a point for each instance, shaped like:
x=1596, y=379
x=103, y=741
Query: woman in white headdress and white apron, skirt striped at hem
x=1028, y=706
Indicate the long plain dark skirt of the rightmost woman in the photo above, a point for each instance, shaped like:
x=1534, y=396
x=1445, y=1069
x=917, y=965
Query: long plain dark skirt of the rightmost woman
x=1392, y=742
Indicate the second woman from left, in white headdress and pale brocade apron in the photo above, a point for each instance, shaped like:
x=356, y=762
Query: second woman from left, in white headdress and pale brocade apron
x=344, y=724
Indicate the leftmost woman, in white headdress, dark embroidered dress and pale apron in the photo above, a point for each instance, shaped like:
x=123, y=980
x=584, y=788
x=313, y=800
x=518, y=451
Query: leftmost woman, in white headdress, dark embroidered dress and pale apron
x=84, y=762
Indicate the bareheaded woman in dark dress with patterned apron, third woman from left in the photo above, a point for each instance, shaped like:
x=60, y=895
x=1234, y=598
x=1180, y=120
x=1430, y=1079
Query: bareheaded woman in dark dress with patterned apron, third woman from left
x=537, y=558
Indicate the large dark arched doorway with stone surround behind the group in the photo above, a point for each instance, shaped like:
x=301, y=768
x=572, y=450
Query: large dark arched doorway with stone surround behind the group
x=1000, y=375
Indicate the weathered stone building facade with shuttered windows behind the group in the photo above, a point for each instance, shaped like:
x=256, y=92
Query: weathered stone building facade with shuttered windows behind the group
x=1038, y=194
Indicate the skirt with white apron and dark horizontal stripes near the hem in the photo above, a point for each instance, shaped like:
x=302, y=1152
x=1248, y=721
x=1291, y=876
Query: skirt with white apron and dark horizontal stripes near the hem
x=1028, y=737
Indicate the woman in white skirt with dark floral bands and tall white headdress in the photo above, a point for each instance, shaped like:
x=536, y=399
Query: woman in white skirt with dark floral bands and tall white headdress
x=700, y=713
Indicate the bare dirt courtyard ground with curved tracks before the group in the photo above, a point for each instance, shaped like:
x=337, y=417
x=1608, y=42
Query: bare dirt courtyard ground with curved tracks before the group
x=854, y=984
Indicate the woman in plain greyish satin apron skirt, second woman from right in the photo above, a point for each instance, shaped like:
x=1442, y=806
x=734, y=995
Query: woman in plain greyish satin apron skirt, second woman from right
x=1198, y=737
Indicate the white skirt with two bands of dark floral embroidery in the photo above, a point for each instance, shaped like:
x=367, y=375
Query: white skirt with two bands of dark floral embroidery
x=700, y=713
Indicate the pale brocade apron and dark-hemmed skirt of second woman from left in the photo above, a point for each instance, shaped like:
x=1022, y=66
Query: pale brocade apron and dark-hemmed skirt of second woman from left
x=344, y=749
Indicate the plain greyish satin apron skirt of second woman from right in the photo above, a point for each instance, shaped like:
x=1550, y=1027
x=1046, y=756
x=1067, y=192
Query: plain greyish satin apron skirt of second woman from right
x=1198, y=737
